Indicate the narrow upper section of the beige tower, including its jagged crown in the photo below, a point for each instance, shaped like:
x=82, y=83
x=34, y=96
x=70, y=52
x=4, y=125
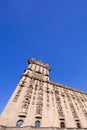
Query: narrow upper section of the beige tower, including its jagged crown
x=38, y=70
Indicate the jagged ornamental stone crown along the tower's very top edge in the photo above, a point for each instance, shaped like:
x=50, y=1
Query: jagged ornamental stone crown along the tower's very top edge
x=40, y=63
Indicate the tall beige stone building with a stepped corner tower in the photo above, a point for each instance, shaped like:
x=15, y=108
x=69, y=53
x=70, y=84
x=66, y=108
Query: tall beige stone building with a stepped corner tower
x=40, y=103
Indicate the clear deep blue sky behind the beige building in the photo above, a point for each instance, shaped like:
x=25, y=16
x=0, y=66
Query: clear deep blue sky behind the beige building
x=54, y=31
